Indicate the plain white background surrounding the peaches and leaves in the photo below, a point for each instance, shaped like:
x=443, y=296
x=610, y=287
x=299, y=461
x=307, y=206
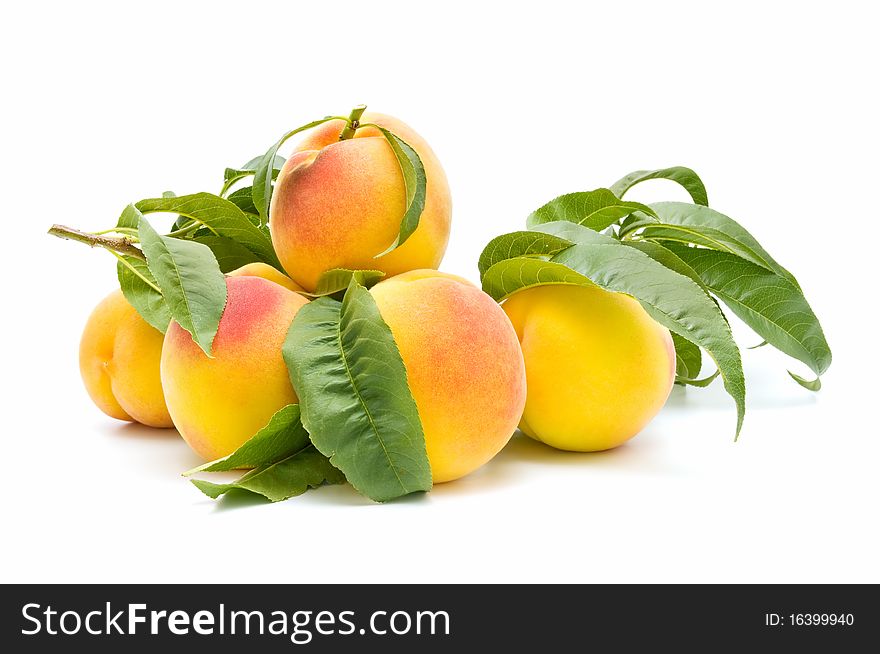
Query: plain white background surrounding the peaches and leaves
x=774, y=104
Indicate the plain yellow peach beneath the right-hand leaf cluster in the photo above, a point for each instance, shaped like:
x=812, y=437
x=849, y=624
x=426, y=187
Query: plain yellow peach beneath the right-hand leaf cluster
x=599, y=368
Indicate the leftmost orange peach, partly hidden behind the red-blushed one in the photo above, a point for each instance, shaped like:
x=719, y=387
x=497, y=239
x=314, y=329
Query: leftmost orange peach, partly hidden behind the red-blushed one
x=119, y=362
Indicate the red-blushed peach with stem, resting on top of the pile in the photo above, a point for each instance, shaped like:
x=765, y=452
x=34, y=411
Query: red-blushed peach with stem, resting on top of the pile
x=338, y=204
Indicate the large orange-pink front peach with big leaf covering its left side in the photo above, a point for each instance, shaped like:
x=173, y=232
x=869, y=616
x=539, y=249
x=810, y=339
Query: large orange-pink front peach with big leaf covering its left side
x=463, y=364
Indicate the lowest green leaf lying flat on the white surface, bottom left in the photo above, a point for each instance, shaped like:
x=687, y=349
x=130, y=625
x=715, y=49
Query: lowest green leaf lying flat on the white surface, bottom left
x=279, y=481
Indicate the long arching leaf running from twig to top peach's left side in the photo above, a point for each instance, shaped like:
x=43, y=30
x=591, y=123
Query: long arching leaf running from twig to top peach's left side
x=219, y=217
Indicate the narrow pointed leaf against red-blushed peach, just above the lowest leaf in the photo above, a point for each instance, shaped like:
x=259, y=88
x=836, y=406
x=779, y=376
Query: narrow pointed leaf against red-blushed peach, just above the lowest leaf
x=283, y=436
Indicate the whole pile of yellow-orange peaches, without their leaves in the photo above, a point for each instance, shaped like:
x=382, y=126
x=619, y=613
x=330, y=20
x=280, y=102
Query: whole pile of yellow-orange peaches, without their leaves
x=577, y=368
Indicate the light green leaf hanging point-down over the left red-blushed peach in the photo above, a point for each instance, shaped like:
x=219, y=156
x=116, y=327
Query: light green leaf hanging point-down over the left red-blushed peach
x=190, y=280
